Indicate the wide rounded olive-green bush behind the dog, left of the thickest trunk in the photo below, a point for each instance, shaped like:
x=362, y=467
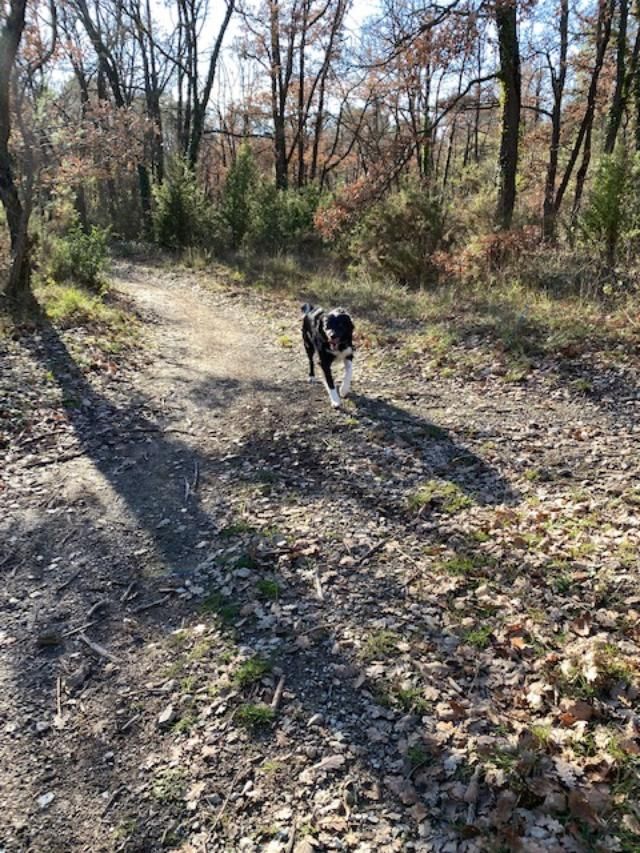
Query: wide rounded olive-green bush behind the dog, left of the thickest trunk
x=399, y=234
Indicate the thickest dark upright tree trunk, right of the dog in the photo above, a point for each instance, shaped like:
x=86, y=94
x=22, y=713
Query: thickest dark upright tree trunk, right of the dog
x=506, y=22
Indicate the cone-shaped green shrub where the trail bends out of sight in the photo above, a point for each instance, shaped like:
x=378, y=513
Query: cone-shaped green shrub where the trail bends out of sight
x=182, y=215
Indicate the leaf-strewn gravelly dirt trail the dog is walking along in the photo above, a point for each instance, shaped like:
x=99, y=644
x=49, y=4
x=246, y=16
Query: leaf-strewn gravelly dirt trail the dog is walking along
x=219, y=531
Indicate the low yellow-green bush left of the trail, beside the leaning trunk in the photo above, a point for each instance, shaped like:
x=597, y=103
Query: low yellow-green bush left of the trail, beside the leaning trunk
x=79, y=257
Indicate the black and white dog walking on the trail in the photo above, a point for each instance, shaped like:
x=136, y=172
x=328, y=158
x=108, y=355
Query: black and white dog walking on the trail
x=330, y=336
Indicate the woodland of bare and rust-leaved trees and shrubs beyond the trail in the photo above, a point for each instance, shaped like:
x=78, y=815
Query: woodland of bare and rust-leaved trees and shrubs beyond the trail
x=427, y=144
